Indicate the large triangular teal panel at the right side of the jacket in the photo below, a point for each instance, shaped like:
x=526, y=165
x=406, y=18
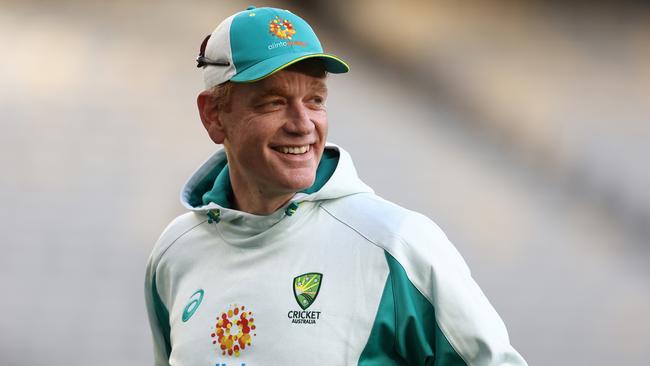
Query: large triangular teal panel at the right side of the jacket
x=405, y=331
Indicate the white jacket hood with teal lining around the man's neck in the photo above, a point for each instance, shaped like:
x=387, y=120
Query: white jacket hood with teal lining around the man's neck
x=208, y=189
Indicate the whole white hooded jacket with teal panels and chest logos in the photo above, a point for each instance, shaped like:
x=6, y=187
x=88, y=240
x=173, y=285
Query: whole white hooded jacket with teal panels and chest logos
x=338, y=276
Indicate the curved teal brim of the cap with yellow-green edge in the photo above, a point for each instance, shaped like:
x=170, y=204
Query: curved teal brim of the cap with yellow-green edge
x=272, y=65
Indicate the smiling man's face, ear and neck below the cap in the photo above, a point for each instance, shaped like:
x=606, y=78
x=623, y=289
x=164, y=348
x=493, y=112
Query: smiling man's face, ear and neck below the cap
x=273, y=131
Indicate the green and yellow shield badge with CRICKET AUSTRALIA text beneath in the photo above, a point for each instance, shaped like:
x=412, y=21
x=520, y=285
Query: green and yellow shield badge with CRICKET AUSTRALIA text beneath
x=305, y=290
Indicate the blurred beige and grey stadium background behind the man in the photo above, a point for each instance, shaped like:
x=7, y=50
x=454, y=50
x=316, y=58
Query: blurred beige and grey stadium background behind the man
x=521, y=128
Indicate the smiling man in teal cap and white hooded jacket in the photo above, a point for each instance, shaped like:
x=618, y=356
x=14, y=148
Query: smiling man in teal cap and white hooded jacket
x=286, y=257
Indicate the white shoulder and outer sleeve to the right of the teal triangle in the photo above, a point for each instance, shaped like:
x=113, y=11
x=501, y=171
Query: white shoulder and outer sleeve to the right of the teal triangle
x=436, y=269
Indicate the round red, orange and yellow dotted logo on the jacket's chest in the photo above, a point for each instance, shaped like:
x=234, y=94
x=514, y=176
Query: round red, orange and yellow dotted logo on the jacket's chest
x=234, y=330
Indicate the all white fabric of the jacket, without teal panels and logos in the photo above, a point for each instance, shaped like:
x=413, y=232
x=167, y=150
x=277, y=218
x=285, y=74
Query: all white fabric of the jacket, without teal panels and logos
x=341, y=231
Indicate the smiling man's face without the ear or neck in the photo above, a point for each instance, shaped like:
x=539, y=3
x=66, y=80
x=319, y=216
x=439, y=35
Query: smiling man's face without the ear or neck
x=275, y=132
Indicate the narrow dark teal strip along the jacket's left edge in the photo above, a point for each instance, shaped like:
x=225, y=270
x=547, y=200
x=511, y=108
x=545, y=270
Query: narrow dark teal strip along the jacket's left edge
x=158, y=316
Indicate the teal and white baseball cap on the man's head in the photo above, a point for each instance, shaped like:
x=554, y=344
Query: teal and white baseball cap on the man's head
x=258, y=42
